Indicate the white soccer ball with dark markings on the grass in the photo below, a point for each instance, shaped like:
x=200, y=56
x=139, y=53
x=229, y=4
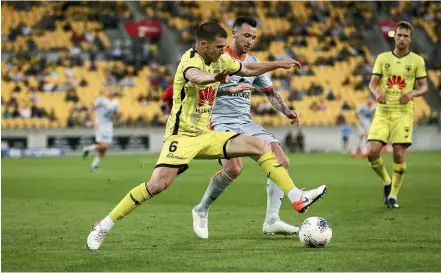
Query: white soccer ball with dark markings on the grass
x=315, y=232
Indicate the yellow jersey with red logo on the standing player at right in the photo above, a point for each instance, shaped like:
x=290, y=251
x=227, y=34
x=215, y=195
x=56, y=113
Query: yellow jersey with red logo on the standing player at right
x=398, y=77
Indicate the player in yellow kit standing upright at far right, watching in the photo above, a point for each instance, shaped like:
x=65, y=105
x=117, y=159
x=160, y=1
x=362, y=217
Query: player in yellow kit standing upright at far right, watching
x=398, y=77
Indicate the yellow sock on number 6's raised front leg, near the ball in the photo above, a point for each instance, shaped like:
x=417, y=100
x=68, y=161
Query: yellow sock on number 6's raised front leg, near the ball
x=276, y=172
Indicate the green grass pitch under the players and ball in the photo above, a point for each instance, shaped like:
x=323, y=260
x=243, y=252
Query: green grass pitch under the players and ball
x=49, y=205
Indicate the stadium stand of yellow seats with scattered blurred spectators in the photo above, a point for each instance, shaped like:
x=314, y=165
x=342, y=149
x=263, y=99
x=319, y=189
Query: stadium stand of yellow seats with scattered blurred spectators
x=323, y=36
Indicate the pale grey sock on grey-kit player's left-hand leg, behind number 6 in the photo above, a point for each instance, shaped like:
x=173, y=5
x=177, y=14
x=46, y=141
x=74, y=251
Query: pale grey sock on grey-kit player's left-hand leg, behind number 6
x=217, y=185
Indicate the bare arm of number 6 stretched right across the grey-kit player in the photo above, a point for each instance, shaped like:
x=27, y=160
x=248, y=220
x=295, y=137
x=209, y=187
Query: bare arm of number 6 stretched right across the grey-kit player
x=255, y=69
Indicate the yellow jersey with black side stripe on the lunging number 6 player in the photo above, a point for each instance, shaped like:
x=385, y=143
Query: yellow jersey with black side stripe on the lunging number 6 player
x=193, y=103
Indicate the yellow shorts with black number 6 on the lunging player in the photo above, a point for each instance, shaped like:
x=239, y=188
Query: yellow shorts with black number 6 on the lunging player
x=179, y=151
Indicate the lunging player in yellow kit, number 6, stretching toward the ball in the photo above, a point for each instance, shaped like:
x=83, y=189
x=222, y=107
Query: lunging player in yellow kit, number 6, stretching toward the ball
x=188, y=133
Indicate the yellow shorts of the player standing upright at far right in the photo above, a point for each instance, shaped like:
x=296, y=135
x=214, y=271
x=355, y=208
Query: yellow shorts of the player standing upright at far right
x=398, y=127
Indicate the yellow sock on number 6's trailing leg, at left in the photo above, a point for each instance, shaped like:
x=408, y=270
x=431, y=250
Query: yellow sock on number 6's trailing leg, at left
x=134, y=198
